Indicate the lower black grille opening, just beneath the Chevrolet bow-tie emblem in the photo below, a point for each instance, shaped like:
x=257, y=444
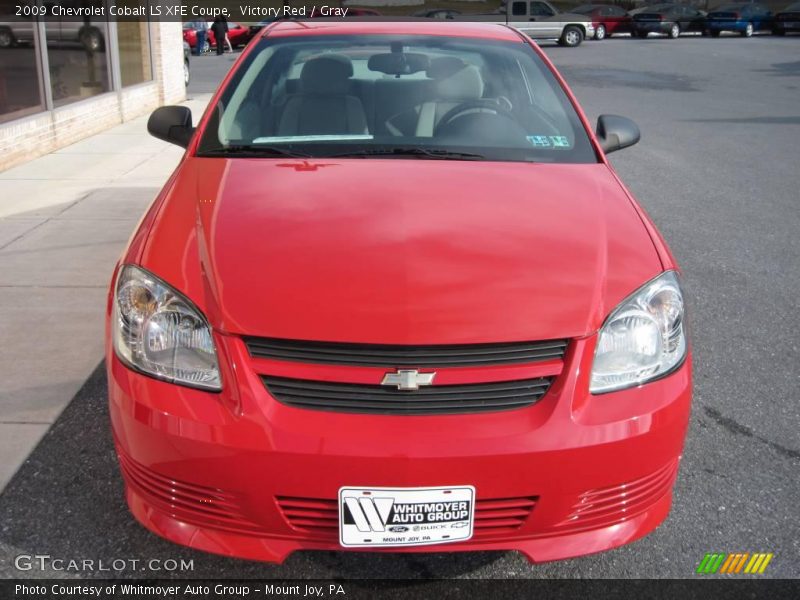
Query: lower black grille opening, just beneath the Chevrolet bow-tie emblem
x=378, y=399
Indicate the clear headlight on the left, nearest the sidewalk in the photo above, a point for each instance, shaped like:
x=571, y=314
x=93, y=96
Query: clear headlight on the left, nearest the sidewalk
x=160, y=332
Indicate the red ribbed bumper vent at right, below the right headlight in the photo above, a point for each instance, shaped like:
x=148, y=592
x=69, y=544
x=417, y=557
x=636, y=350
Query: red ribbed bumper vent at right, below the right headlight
x=608, y=506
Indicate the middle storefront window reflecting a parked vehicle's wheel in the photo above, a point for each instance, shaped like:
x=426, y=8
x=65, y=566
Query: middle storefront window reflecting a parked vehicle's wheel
x=76, y=51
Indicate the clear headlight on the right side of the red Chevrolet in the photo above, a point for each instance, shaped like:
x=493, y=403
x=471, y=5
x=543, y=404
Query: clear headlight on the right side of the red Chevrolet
x=643, y=339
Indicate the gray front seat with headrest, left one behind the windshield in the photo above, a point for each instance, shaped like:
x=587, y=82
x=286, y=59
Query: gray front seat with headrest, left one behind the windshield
x=323, y=106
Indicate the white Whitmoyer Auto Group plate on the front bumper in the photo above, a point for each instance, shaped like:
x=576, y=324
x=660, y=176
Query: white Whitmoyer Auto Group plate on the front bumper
x=405, y=516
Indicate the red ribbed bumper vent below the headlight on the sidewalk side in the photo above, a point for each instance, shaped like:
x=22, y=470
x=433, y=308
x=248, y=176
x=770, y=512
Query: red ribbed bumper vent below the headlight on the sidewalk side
x=187, y=502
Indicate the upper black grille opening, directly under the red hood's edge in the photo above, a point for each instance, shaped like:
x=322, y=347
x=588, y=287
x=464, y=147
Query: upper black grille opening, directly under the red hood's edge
x=380, y=355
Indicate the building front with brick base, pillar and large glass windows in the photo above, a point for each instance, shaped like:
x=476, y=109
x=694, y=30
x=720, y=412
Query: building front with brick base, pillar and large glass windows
x=61, y=81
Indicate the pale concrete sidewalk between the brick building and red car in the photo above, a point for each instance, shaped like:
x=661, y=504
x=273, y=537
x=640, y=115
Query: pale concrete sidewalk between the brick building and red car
x=64, y=219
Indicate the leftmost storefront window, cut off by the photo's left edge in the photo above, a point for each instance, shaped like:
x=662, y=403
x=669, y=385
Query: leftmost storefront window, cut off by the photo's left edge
x=20, y=74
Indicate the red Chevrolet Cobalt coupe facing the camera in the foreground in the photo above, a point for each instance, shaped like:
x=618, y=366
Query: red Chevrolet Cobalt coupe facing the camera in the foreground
x=394, y=297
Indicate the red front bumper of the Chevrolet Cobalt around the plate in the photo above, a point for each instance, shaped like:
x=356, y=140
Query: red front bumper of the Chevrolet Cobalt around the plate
x=237, y=473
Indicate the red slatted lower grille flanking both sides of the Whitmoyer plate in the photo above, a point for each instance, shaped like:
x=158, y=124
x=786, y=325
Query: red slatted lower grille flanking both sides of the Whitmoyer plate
x=319, y=518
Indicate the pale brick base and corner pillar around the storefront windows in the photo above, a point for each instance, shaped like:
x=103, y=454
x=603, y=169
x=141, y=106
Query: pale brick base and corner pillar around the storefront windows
x=39, y=134
